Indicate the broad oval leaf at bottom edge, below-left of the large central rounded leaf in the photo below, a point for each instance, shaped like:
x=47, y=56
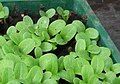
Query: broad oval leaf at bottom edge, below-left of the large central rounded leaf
x=35, y=75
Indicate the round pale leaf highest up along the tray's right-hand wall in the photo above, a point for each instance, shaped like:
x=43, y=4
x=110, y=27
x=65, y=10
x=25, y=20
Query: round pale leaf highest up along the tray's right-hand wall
x=92, y=33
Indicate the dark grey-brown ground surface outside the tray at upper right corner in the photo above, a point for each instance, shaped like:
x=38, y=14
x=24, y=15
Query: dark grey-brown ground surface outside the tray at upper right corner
x=109, y=14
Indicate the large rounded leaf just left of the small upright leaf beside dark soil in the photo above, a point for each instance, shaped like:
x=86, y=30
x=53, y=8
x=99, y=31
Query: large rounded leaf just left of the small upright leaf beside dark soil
x=27, y=45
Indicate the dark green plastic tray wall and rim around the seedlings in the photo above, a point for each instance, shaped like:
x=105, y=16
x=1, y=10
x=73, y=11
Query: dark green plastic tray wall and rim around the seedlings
x=79, y=6
